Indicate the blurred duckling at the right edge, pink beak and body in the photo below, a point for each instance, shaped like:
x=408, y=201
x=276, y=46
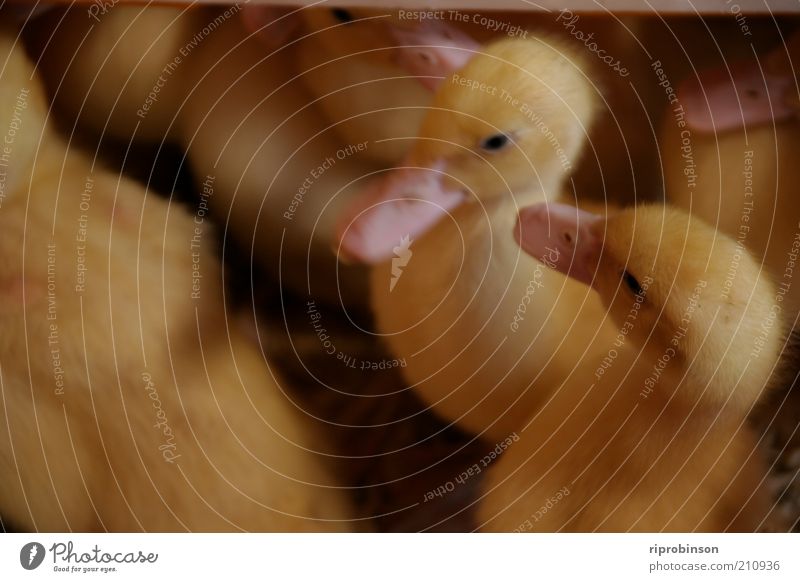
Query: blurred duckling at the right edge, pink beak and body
x=728, y=155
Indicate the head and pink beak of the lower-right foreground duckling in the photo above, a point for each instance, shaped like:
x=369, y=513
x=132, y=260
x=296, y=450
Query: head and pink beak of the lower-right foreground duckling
x=675, y=285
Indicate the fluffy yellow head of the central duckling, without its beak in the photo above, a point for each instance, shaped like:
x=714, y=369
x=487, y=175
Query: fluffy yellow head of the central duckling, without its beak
x=514, y=119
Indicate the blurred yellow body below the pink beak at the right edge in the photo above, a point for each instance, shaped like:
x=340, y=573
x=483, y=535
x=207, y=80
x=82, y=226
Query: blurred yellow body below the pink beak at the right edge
x=745, y=183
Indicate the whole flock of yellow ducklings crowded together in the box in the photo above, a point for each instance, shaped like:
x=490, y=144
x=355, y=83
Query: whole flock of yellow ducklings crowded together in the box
x=610, y=352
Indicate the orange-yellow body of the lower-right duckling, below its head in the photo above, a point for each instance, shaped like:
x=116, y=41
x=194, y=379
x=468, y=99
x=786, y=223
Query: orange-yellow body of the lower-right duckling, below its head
x=600, y=457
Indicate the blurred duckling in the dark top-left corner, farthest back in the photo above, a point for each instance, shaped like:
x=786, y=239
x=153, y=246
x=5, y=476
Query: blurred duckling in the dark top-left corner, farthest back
x=116, y=74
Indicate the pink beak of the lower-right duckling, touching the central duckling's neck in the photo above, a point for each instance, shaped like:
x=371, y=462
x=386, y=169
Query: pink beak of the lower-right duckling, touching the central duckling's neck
x=561, y=237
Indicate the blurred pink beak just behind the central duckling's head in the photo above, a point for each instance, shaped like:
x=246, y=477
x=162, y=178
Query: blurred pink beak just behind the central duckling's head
x=432, y=50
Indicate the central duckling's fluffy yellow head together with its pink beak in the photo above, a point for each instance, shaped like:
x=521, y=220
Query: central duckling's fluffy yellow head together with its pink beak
x=510, y=123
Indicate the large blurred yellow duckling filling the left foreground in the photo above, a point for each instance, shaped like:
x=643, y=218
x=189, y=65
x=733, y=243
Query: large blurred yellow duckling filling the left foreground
x=130, y=403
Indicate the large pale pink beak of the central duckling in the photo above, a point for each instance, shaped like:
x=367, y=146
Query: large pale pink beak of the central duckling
x=393, y=211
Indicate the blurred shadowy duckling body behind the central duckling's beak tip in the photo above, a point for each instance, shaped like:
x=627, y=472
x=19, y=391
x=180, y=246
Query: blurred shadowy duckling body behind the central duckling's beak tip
x=281, y=173
